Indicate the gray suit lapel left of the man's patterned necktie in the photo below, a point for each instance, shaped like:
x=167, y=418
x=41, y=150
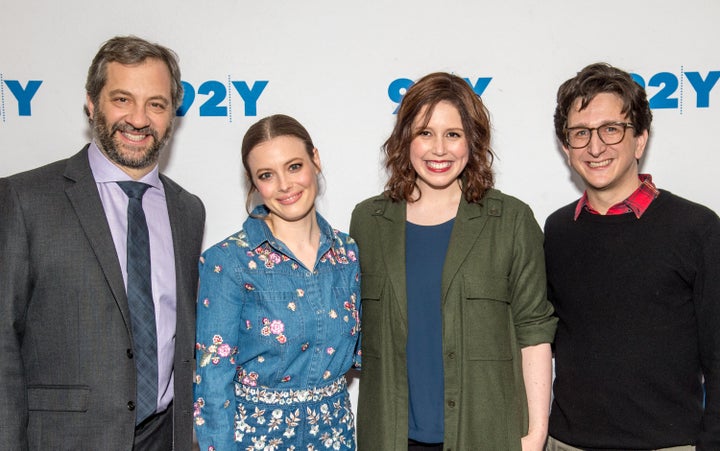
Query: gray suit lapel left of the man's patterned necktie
x=82, y=193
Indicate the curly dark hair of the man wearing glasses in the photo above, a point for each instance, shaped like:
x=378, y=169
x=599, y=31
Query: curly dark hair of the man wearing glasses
x=600, y=78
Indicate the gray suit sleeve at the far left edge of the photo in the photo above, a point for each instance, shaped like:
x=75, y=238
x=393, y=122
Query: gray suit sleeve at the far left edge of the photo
x=15, y=290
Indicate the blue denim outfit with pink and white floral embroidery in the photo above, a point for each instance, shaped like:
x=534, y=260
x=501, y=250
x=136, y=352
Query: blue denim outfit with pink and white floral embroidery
x=274, y=340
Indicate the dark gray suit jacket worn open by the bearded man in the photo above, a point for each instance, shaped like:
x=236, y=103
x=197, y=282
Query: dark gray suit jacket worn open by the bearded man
x=67, y=377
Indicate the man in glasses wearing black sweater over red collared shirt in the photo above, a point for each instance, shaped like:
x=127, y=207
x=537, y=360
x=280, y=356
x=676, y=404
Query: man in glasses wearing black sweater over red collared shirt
x=634, y=275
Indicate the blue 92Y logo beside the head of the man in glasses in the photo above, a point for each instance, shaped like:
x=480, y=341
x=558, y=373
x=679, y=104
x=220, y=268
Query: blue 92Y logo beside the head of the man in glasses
x=673, y=91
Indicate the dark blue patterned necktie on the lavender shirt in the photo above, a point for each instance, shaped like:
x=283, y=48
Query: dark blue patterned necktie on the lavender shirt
x=142, y=310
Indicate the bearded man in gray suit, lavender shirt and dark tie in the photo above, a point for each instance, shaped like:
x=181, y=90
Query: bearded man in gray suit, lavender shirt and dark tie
x=68, y=377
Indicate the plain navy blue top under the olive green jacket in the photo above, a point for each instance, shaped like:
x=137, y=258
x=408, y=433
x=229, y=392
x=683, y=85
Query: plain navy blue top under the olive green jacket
x=425, y=250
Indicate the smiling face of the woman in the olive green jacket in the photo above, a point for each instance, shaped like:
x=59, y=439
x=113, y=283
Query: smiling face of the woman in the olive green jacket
x=439, y=151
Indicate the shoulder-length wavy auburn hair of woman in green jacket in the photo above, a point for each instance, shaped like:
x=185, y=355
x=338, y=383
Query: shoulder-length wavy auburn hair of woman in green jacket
x=422, y=97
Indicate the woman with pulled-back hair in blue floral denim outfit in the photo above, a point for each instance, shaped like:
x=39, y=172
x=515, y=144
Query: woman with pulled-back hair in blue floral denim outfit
x=278, y=321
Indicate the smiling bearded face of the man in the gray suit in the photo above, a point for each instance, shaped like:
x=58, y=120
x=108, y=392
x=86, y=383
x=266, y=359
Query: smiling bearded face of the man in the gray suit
x=133, y=117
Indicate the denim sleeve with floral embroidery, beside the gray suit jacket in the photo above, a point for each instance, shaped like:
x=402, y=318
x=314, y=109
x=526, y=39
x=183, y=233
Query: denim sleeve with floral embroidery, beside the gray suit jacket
x=218, y=310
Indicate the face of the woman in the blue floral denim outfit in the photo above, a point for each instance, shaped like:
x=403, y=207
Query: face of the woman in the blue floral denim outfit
x=285, y=176
